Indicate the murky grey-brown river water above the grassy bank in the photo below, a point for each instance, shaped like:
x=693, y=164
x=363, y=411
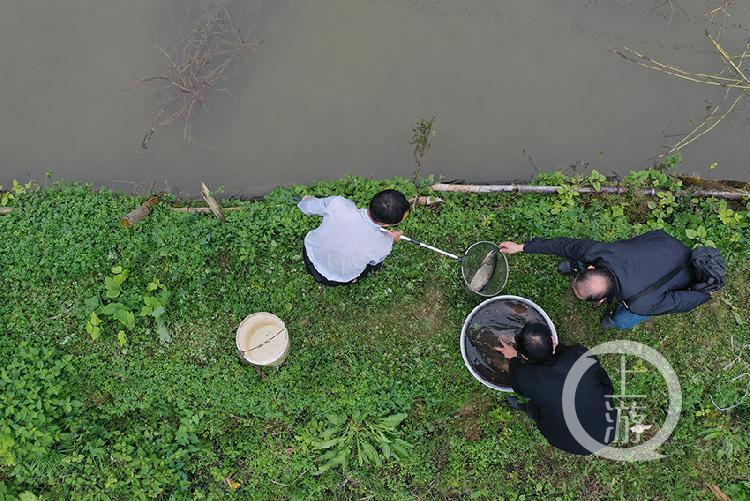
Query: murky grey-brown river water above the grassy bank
x=332, y=87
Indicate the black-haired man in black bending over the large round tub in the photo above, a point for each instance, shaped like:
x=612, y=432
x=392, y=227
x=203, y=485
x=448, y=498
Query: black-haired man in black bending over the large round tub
x=540, y=377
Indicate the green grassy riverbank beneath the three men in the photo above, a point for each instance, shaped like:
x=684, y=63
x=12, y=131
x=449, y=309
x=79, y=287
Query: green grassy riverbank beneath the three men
x=166, y=409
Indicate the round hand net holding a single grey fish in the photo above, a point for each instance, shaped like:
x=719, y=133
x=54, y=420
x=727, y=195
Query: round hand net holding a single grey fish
x=485, y=269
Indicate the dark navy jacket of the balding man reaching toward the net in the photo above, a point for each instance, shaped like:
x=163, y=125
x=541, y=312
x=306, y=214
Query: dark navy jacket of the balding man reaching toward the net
x=636, y=264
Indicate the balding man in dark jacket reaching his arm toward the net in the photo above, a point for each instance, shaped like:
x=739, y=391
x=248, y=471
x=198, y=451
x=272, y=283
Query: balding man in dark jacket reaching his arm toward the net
x=649, y=274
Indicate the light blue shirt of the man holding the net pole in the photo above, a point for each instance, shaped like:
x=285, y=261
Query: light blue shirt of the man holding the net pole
x=346, y=241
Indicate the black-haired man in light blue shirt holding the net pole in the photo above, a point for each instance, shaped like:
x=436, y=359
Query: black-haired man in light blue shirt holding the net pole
x=350, y=242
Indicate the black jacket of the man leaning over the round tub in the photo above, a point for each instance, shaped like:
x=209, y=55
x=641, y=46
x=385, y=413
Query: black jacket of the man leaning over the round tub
x=543, y=385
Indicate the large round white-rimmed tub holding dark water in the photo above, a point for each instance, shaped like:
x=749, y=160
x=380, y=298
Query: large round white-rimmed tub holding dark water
x=494, y=321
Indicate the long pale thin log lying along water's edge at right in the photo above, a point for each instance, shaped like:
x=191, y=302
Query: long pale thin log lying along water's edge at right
x=551, y=190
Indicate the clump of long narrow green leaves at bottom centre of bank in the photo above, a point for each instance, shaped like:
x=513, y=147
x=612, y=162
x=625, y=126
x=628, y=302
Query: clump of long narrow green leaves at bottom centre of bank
x=373, y=440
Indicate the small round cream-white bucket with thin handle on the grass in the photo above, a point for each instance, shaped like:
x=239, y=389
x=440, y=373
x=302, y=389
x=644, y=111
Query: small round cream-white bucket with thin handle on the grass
x=262, y=339
